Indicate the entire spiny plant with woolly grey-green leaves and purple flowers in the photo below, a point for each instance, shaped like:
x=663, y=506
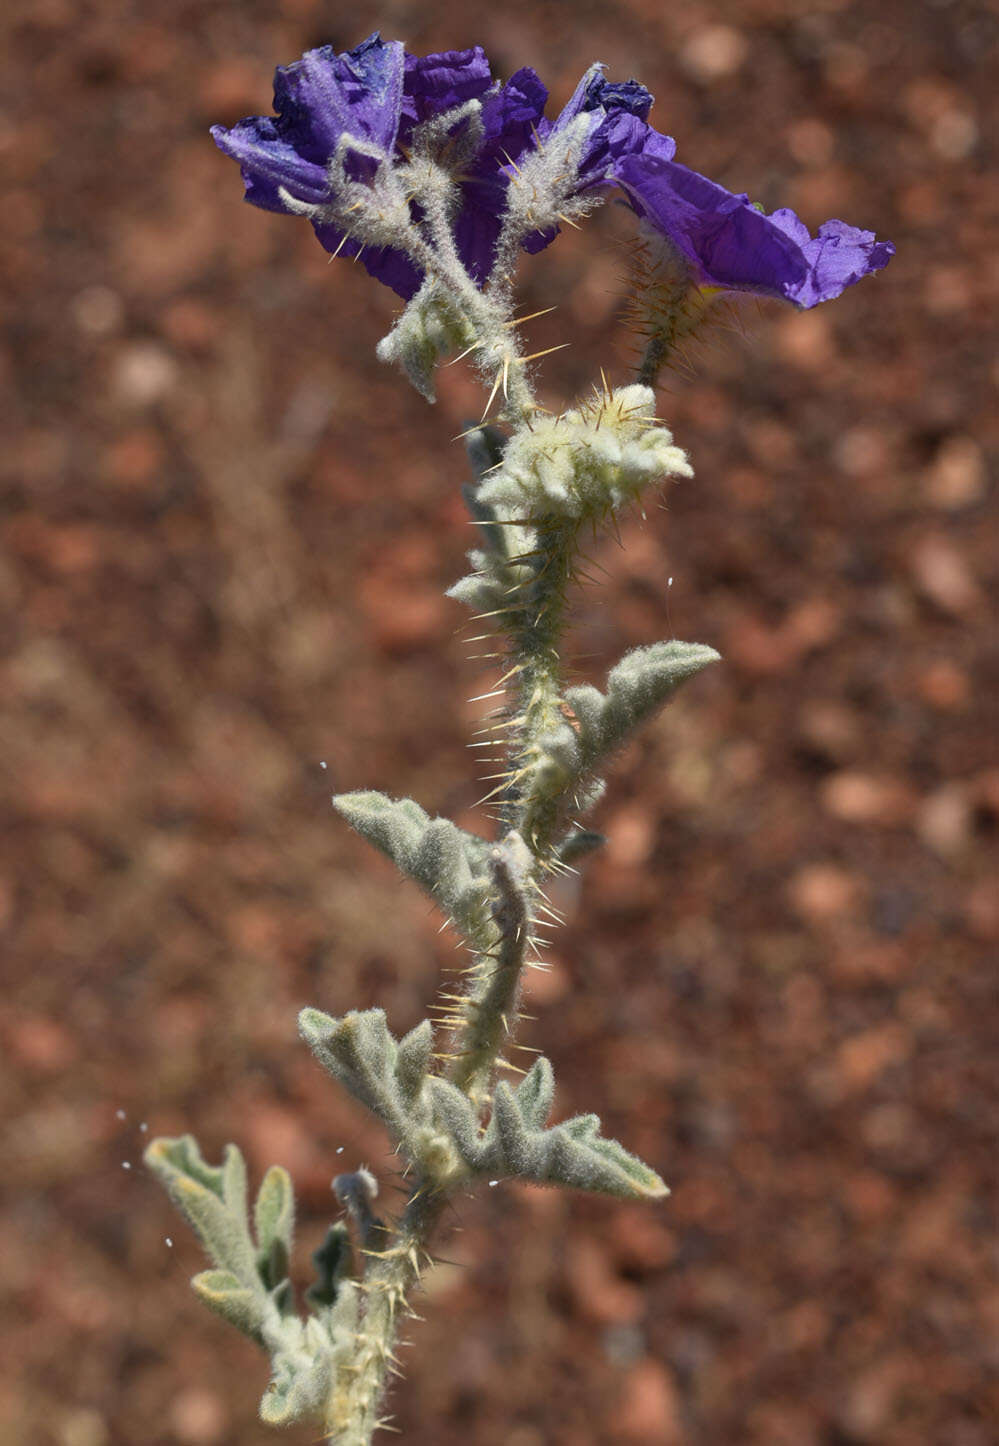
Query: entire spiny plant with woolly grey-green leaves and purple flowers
x=437, y=179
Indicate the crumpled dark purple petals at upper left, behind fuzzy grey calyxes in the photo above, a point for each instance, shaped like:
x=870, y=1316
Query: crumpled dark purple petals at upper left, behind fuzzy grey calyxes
x=378, y=95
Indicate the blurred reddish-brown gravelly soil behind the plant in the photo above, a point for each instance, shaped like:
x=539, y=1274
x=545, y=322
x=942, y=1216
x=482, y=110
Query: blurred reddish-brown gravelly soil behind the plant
x=226, y=536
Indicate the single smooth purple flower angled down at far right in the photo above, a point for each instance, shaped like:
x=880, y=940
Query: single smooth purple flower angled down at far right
x=732, y=245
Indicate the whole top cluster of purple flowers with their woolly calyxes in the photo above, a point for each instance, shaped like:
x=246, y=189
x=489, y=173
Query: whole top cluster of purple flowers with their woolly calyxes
x=377, y=144
